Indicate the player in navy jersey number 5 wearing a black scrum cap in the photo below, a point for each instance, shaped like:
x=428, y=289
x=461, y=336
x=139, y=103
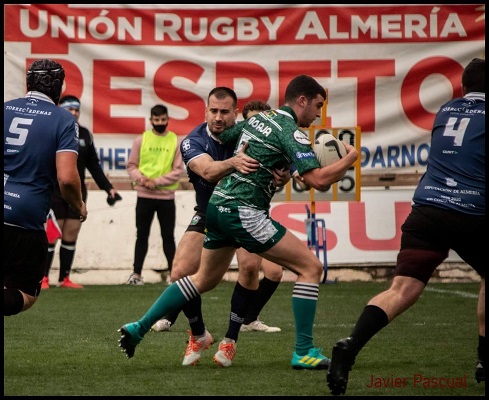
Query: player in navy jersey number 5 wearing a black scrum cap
x=40, y=147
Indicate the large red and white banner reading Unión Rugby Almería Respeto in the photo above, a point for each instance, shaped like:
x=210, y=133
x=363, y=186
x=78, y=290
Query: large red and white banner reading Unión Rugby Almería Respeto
x=387, y=68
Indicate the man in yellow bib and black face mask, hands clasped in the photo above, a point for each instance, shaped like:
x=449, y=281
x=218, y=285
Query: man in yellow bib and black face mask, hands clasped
x=155, y=165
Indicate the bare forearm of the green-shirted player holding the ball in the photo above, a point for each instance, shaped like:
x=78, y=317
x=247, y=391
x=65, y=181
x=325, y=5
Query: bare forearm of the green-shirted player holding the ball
x=323, y=178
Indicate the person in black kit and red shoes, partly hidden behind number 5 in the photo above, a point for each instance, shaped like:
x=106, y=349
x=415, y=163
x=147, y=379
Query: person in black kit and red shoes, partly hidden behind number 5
x=68, y=220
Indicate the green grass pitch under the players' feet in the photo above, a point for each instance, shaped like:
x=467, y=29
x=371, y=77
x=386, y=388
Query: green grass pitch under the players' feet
x=66, y=345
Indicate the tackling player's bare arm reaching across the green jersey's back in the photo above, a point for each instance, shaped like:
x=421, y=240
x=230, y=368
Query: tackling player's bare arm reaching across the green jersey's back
x=213, y=171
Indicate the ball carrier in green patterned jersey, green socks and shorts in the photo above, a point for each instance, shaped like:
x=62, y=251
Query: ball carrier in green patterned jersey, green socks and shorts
x=238, y=216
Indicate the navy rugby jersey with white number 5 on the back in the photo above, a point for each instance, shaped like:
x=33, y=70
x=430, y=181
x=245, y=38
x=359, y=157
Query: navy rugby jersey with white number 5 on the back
x=34, y=130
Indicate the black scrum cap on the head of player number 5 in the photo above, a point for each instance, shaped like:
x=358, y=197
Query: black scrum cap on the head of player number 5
x=46, y=76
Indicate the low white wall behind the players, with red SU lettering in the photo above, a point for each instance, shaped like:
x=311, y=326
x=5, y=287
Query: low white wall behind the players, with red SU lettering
x=362, y=238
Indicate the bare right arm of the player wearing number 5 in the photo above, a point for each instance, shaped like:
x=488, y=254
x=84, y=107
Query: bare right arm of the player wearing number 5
x=69, y=181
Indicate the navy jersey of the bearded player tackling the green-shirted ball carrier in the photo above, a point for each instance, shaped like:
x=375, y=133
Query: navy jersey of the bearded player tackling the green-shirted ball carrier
x=199, y=142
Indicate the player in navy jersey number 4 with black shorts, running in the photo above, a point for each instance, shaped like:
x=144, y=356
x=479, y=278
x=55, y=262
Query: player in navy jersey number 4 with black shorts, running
x=448, y=212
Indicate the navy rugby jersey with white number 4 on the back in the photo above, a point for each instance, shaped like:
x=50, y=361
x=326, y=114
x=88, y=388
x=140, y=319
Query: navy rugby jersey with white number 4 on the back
x=455, y=176
